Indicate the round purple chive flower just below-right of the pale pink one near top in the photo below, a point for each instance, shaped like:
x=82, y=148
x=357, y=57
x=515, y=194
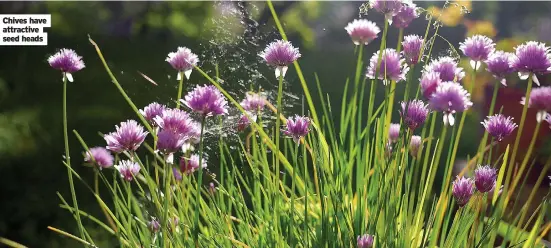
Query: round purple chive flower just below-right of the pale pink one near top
x=391, y=67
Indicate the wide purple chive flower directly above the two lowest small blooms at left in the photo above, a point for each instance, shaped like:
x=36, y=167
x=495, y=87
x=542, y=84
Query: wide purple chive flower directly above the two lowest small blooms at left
x=127, y=137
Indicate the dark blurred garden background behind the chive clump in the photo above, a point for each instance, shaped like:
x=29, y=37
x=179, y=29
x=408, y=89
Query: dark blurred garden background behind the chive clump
x=136, y=37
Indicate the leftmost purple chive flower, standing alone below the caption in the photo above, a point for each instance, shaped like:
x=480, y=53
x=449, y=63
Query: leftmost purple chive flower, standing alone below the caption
x=67, y=61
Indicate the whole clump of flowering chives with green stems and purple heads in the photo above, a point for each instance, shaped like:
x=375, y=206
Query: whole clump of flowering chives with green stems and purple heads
x=311, y=180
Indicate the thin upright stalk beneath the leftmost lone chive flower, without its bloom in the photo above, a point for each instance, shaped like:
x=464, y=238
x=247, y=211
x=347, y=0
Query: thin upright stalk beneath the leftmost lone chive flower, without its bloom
x=68, y=158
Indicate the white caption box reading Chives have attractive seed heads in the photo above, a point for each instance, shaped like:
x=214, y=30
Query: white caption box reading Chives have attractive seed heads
x=24, y=30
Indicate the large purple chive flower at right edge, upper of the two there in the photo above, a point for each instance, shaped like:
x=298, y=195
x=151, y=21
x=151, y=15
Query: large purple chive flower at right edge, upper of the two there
x=532, y=58
